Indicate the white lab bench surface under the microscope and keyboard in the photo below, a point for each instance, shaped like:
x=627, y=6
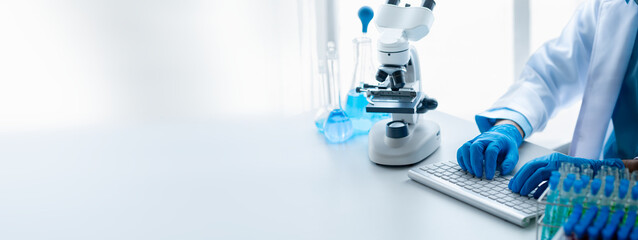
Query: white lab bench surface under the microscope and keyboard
x=226, y=179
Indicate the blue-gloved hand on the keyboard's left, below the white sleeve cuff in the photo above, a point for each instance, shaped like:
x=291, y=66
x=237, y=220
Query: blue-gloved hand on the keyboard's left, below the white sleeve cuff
x=494, y=149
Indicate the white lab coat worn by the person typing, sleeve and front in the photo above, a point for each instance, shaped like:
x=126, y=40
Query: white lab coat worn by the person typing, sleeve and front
x=588, y=61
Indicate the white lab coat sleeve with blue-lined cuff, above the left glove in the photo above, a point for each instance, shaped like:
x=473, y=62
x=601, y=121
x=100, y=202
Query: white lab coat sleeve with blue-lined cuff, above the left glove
x=554, y=76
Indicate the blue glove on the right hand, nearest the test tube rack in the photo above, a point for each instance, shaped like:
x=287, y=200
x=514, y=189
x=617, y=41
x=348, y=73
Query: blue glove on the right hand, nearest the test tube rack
x=540, y=169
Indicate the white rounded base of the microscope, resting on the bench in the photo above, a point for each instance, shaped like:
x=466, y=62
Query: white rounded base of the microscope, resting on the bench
x=423, y=140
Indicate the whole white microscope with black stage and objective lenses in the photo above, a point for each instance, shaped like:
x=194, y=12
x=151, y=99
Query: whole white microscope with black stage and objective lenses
x=402, y=139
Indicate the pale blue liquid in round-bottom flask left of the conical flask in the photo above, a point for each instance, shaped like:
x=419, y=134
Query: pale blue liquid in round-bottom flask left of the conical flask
x=338, y=127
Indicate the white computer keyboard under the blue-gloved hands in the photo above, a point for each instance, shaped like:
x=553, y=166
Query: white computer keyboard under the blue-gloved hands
x=492, y=196
